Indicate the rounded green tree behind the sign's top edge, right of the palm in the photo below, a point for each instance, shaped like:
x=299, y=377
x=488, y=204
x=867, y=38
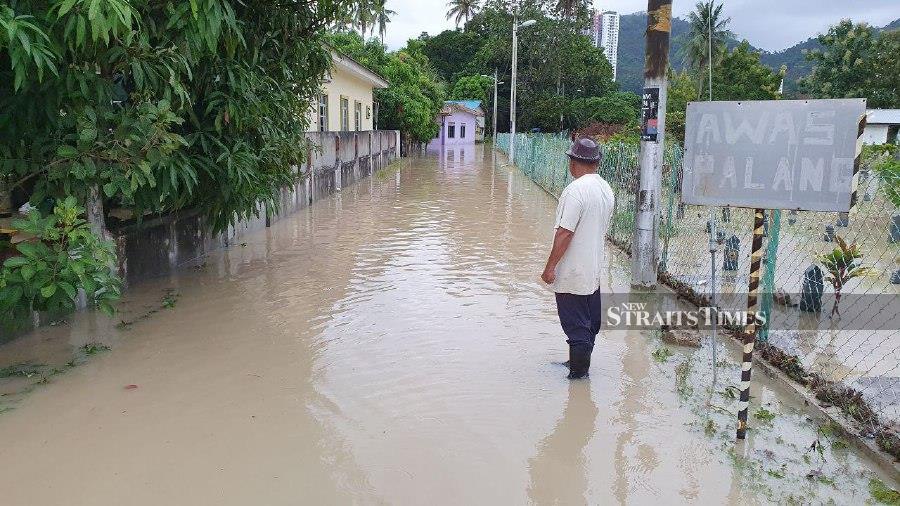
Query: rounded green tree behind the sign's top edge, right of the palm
x=741, y=76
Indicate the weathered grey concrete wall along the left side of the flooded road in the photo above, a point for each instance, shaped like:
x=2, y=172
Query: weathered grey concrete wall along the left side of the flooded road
x=158, y=247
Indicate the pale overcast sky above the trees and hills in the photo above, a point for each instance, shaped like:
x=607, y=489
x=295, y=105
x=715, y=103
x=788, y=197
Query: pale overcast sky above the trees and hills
x=768, y=24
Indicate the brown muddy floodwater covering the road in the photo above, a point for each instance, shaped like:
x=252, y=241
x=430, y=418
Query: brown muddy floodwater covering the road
x=391, y=345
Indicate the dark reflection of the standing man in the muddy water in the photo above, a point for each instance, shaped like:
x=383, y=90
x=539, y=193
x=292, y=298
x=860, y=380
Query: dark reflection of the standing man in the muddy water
x=558, y=472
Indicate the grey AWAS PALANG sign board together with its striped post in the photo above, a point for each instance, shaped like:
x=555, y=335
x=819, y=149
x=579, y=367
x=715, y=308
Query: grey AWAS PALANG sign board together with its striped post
x=771, y=154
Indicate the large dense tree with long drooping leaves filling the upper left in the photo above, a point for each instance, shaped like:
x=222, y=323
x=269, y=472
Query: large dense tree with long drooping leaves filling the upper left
x=158, y=106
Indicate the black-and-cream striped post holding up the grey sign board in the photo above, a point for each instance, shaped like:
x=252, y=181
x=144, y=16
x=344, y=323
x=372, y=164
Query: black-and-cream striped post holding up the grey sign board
x=750, y=331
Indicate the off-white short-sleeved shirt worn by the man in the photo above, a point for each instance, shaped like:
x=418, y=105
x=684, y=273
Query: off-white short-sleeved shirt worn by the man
x=585, y=208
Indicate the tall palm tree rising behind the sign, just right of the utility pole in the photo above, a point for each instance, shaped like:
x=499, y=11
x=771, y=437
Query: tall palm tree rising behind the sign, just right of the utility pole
x=706, y=20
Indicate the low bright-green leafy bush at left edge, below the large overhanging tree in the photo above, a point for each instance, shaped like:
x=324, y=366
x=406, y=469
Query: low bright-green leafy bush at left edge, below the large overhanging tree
x=63, y=257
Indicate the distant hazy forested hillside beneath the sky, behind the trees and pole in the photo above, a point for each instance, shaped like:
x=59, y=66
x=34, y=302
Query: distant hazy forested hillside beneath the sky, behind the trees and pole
x=631, y=52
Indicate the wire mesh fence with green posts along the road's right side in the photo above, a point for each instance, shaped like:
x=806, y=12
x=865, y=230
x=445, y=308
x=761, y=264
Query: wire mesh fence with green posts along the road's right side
x=851, y=359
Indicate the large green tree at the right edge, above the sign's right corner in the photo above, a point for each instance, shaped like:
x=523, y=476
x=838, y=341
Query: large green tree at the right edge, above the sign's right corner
x=855, y=62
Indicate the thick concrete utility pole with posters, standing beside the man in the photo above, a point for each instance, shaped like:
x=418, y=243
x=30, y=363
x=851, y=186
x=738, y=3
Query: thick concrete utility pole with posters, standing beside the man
x=645, y=246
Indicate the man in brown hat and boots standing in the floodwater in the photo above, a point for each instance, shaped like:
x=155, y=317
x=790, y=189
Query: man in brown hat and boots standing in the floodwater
x=573, y=268
